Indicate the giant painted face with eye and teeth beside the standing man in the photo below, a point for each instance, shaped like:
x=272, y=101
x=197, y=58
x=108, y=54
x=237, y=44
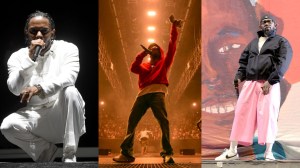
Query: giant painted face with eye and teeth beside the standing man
x=226, y=30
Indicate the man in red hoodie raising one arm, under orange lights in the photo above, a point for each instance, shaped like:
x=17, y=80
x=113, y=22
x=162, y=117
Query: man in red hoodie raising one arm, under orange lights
x=153, y=85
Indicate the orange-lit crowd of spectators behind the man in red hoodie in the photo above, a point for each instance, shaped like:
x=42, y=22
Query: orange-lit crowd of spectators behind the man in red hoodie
x=181, y=127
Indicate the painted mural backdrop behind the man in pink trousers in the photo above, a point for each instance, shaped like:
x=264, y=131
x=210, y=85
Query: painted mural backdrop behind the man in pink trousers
x=227, y=26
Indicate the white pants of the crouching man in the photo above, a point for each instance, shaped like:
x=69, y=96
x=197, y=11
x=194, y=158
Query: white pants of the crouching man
x=33, y=130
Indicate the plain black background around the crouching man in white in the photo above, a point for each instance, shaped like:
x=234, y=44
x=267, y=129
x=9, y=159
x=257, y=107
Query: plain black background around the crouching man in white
x=76, y=22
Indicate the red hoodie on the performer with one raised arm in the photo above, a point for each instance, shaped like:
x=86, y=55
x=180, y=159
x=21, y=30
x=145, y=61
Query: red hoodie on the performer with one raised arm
x=157, y=75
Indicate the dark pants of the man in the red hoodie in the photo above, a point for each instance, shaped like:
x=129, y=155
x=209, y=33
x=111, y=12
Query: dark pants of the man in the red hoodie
x=155, y=101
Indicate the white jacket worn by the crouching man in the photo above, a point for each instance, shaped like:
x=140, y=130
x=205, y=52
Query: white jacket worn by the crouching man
x=58, y=68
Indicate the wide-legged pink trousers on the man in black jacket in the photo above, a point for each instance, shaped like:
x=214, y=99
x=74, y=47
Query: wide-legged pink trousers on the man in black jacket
x=254, y=110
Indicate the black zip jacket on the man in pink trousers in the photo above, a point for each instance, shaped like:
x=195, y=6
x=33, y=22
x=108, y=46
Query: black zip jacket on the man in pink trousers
x=270, y=64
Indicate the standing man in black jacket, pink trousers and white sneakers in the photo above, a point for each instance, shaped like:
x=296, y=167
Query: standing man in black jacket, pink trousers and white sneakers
x=263, y=64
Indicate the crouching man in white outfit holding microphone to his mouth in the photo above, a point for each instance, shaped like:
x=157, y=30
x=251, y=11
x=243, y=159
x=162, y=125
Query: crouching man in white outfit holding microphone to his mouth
x=43, y=74
